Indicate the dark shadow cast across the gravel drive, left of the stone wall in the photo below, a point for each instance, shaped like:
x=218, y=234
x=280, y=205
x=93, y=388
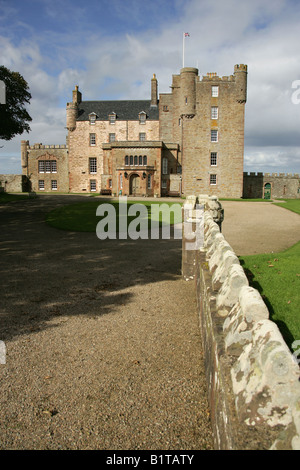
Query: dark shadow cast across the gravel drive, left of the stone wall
x=48, y=274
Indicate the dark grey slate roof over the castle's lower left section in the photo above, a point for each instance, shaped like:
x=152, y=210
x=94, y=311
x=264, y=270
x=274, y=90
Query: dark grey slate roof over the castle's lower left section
x=127, y=110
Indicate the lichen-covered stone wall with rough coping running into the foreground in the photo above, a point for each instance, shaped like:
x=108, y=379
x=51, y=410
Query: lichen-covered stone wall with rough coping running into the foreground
x=252, y=377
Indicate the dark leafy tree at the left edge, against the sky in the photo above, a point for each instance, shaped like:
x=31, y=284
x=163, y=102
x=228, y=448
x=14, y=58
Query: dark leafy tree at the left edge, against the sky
x=14, y=118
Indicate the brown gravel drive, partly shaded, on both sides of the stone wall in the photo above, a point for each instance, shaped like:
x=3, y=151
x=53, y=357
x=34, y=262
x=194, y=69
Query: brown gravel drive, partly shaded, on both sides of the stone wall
x=97, y=356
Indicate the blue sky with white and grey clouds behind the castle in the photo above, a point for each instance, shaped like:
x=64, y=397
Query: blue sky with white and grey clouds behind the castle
x=111, y=48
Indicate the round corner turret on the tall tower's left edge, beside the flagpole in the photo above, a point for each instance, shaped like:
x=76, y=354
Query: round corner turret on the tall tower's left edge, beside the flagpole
x=188, y=77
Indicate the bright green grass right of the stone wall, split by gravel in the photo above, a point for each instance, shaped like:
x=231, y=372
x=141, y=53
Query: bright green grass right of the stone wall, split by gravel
x=277, y=278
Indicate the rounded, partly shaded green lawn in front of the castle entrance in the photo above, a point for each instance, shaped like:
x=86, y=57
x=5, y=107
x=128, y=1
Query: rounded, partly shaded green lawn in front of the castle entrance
x=82, y=217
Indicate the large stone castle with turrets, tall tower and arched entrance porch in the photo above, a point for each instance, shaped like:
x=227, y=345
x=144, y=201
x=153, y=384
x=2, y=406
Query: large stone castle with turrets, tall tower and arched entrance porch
x=188, y=141
